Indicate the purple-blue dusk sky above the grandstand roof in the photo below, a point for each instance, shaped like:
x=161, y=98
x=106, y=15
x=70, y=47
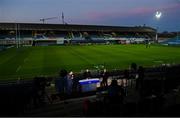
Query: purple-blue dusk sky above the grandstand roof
x=95, y=12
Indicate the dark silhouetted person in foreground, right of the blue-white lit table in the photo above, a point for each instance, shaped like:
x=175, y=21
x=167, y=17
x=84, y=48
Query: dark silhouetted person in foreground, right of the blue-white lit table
x=115, y=92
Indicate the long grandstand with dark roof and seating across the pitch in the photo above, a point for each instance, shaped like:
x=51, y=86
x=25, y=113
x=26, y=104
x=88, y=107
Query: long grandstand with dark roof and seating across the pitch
x=50, y=34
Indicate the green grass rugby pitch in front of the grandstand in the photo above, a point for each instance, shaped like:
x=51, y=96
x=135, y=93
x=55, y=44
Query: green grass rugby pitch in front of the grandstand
x=27, y=62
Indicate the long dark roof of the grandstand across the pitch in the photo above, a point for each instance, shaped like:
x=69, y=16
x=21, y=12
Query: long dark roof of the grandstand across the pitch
x=74, y=27
